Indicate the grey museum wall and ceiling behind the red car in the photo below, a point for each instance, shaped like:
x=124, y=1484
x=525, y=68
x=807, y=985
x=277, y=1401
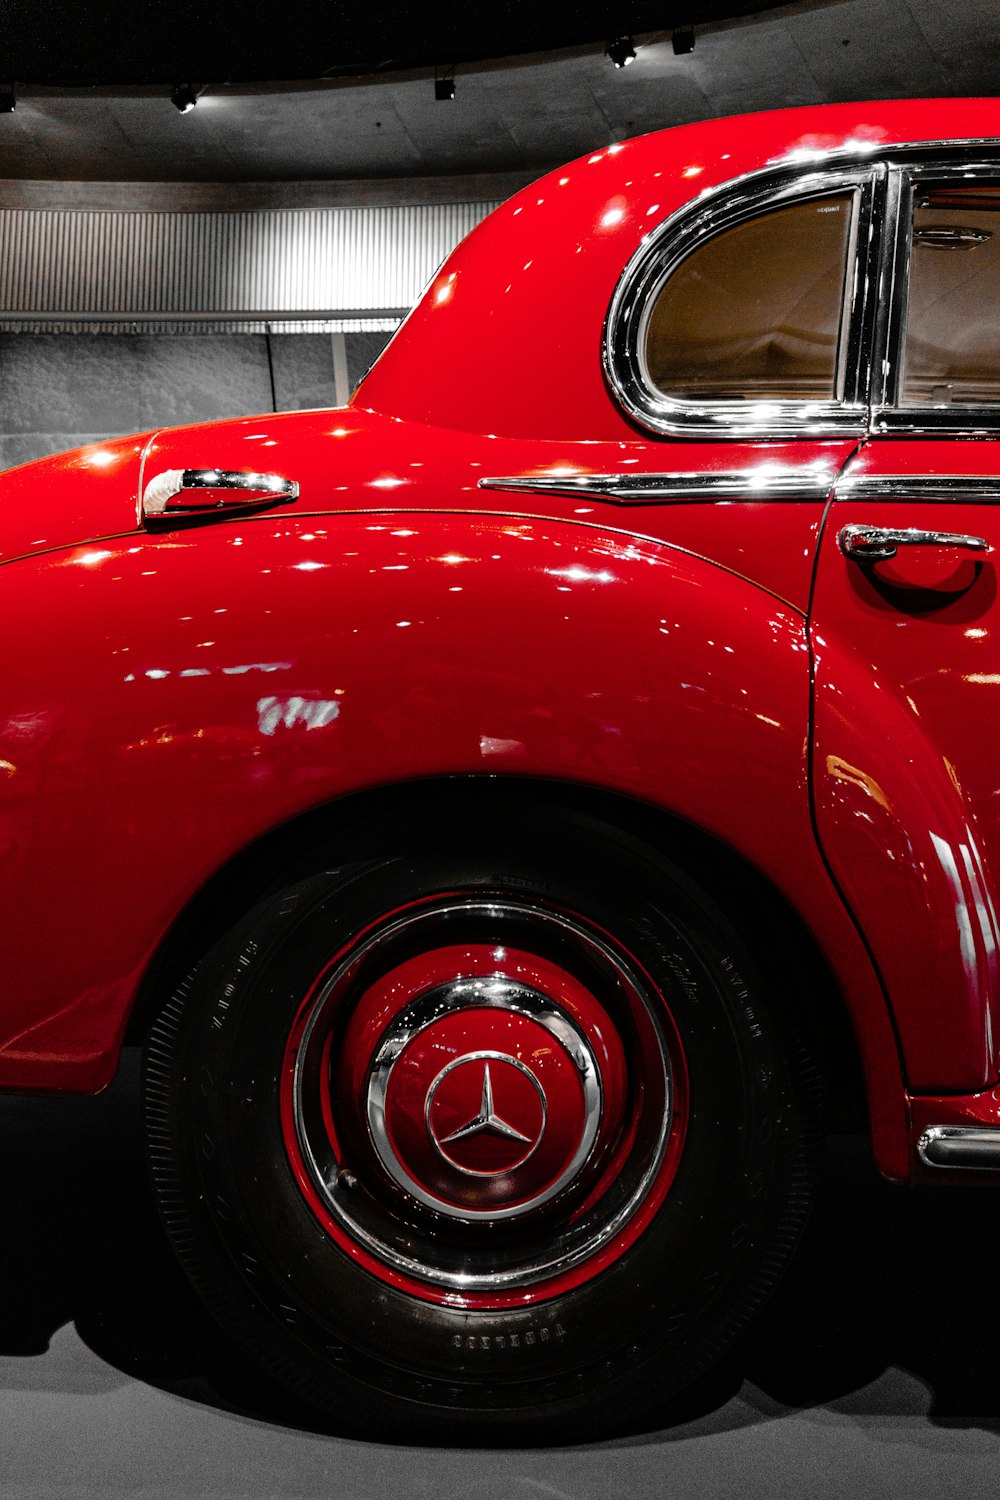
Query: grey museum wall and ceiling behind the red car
x=256, y=251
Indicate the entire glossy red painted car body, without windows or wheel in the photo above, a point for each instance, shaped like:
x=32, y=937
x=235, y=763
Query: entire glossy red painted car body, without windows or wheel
x=179, y=694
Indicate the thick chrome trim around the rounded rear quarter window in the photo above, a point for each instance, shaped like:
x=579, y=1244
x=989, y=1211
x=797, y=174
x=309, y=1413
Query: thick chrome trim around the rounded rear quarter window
x=677, y=238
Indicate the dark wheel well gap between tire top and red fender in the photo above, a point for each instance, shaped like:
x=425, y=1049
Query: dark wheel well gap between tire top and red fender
x=779, y=943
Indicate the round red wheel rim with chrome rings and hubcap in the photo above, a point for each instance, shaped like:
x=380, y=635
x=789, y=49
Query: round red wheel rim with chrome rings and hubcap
x=485, y=1102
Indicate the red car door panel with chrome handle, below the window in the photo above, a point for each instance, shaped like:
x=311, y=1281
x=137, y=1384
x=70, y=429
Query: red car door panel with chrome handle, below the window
x=908, y=761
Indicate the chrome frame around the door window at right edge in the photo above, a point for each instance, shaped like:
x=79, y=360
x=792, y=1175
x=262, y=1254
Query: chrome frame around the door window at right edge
x=908, y=172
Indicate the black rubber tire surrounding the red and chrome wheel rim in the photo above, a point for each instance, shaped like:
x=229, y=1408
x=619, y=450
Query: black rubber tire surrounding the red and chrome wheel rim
x=647, y=1316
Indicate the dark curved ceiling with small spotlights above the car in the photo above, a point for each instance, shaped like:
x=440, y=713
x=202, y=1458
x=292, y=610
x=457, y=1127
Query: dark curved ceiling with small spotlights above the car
x=386, y=139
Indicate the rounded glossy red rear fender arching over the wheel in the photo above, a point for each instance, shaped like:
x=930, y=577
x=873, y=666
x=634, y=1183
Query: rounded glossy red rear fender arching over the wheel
x=179, y=697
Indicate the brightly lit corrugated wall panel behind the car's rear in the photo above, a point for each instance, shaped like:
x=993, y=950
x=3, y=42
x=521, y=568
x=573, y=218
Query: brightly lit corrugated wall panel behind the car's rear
x=274, y=263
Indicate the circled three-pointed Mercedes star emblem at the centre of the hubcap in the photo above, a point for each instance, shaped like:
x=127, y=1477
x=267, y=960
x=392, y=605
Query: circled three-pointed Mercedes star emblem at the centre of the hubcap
x=487, y=1144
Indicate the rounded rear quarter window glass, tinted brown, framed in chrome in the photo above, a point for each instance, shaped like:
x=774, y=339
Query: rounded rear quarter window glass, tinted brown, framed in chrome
x=759, y=311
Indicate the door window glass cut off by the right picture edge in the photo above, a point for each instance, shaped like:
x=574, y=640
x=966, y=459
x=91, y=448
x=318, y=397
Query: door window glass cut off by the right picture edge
x=951, y=338
